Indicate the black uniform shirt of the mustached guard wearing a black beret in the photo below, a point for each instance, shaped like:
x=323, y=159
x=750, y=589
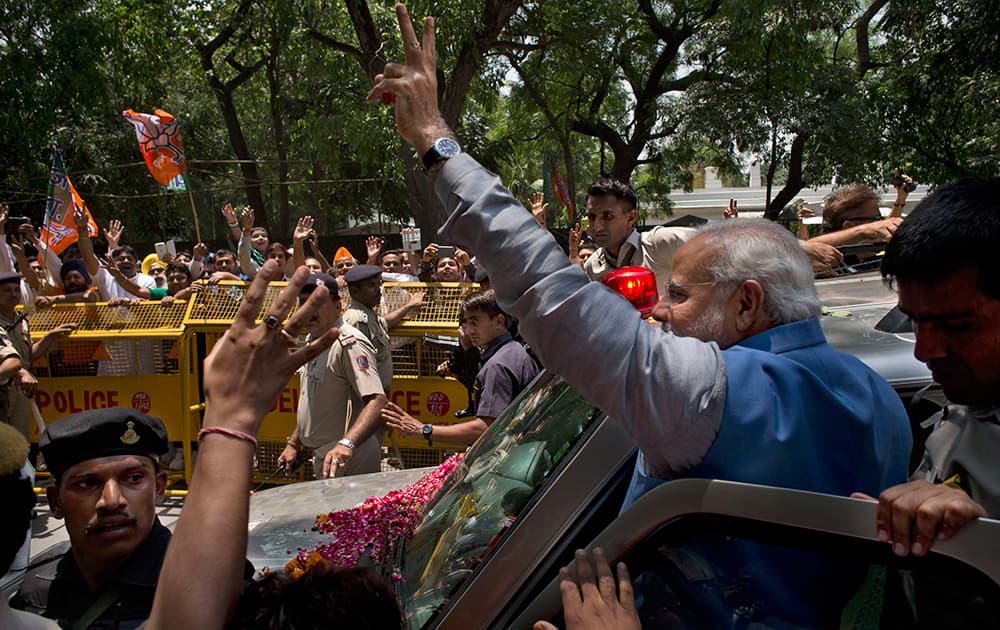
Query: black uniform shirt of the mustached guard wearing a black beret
x=64, y=595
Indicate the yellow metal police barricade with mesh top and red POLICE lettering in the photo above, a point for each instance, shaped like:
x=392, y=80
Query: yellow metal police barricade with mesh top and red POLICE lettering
x=148, y=356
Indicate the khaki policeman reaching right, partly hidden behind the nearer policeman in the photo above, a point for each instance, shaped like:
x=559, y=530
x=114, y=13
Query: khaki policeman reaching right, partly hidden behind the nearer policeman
x=365, y=285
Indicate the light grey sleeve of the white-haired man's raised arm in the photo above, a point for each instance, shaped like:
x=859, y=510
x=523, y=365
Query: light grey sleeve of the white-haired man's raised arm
x=667, y=392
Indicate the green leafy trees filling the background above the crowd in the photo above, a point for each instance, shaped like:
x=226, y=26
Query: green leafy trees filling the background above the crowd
x=270, y=96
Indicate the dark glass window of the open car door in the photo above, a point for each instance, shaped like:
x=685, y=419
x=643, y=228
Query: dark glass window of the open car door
x=723, y=572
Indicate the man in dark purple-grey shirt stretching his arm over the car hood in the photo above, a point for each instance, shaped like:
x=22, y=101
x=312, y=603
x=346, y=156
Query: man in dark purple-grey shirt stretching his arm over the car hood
x=505, y=371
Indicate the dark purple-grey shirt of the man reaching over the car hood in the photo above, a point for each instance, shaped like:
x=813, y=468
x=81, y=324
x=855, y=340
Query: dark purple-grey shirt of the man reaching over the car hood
x=506, y=371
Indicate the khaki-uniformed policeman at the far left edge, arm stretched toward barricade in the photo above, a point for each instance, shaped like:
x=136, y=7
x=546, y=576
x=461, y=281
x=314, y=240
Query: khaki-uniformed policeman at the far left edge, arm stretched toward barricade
x=17, y=383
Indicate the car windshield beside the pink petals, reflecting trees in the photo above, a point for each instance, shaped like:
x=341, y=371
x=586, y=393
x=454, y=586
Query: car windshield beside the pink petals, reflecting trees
x=487, y=492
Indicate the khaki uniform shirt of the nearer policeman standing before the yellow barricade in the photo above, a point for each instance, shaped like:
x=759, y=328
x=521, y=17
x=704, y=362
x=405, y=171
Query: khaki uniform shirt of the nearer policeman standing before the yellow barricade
x=332, y=387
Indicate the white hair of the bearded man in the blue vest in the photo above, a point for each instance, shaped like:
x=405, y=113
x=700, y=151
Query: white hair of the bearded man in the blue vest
x=757, y=249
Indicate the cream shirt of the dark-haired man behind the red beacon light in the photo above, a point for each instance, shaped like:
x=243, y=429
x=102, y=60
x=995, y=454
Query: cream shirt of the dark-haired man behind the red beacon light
x=654, y=249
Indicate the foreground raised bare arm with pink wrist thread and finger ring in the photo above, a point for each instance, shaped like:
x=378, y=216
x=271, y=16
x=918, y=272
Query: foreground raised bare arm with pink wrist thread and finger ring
x=201, y=578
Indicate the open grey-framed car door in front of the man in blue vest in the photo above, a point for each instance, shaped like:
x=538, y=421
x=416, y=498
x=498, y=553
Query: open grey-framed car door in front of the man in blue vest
x=709, y=554
